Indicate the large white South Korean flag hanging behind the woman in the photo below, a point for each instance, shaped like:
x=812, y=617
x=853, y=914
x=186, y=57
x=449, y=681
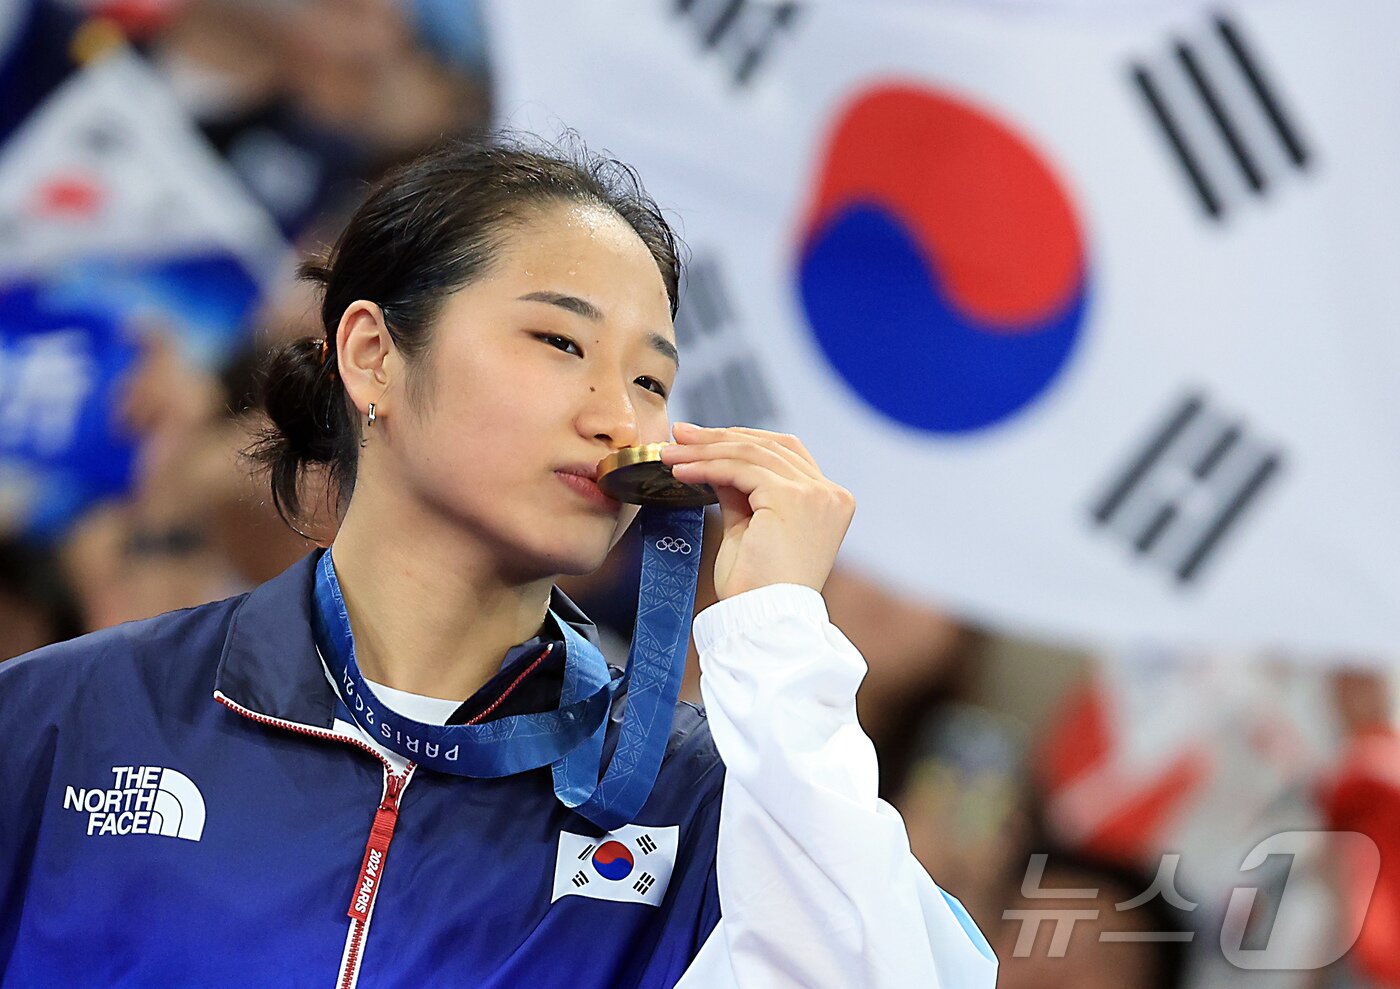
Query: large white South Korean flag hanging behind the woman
x=1093, y=306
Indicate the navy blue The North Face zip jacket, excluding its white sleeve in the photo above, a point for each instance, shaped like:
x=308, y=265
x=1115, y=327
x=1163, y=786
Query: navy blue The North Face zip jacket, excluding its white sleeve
x=181, y=812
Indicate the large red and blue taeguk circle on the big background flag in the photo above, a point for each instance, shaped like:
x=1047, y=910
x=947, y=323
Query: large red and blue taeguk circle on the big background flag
x=943, y=267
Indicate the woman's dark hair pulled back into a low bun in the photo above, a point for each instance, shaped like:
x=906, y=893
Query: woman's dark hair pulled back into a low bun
x=425, y=230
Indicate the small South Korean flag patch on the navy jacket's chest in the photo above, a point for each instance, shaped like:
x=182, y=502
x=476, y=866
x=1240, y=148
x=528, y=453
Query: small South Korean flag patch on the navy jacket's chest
x=631, y=865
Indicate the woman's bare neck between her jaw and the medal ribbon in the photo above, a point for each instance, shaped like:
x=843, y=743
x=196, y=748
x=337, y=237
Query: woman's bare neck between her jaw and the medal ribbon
x=429, y=609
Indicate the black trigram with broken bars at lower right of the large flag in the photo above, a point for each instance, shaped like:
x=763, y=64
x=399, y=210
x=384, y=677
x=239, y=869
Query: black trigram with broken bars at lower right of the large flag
x=1191, y=484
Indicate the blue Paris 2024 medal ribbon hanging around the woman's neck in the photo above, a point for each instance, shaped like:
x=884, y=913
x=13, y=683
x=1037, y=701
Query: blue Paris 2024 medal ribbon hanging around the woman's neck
x=569, y=739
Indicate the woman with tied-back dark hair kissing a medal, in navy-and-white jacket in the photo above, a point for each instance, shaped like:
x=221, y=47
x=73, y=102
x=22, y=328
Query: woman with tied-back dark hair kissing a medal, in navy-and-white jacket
x=376, y=768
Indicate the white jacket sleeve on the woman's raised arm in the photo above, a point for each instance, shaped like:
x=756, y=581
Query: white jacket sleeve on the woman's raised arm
x=817, y=882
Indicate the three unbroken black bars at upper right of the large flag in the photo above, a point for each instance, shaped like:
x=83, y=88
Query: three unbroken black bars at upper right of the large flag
x=1224, y=121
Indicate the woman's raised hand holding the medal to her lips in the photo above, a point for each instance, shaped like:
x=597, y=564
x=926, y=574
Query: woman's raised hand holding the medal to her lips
x=783, y=520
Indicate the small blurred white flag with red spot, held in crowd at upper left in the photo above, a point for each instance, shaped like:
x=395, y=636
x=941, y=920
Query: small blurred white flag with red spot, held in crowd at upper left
x=113, y=167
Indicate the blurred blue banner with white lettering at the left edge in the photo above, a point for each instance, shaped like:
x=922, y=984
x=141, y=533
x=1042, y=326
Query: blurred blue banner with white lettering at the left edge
x=68, y=345
